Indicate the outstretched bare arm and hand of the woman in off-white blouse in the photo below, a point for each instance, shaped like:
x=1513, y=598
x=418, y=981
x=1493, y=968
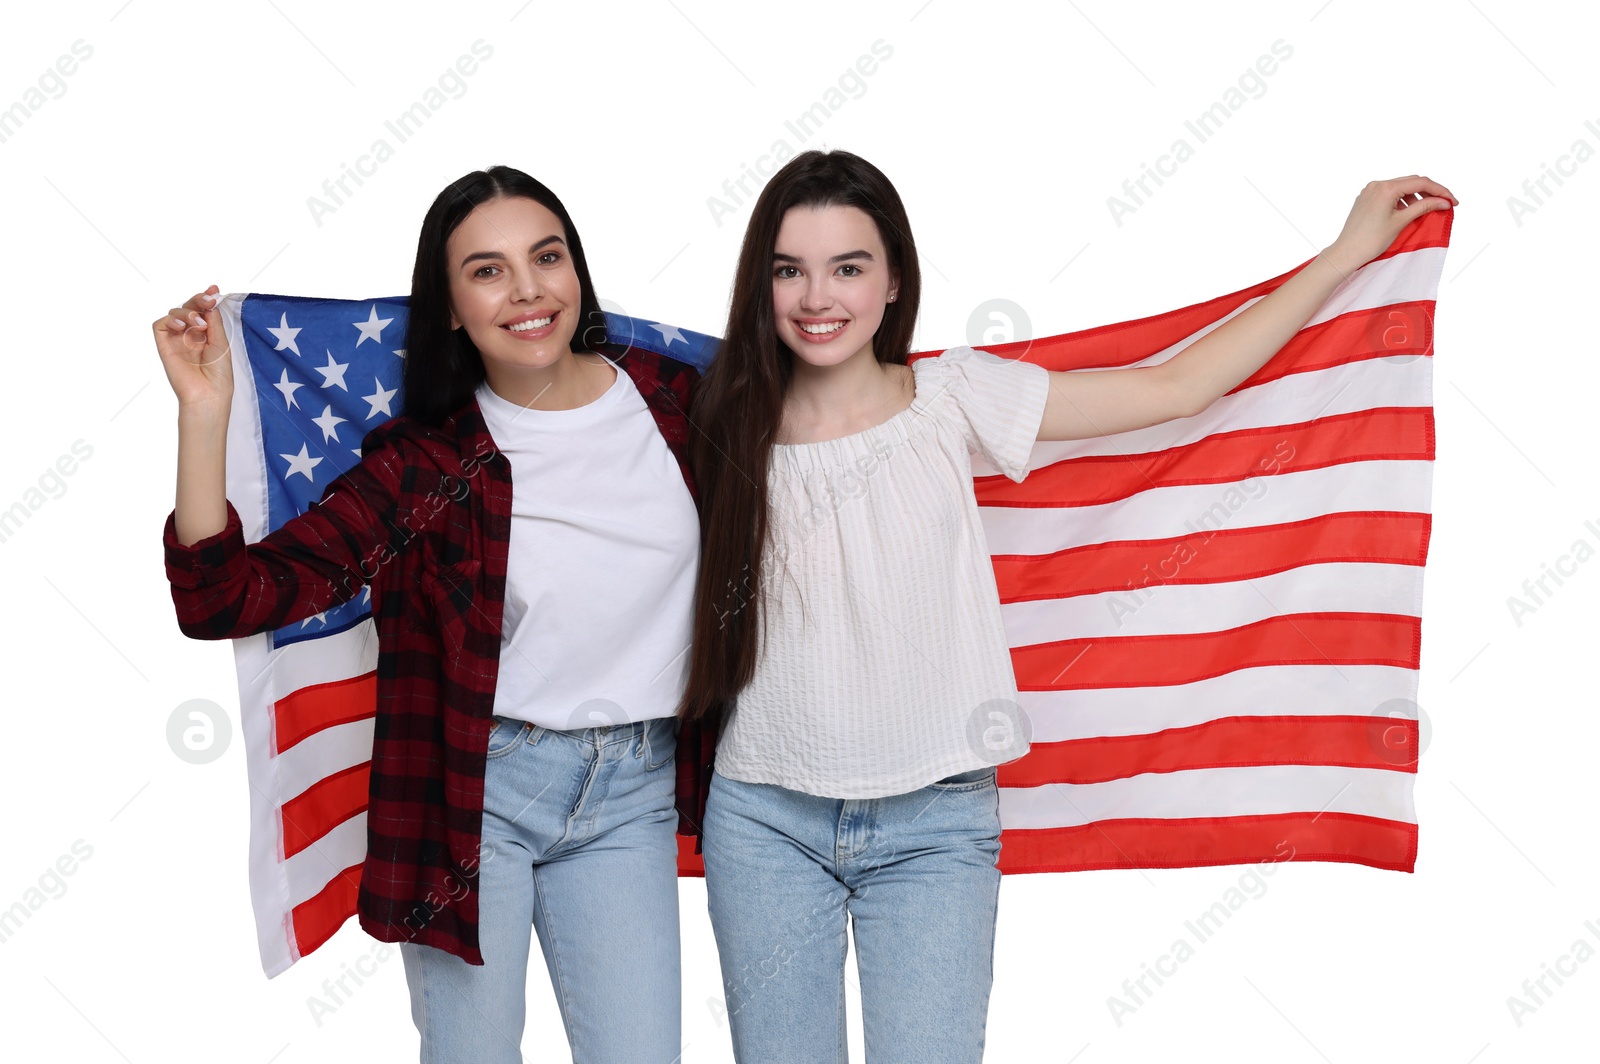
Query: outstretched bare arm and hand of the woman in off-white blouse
x=1090, y=404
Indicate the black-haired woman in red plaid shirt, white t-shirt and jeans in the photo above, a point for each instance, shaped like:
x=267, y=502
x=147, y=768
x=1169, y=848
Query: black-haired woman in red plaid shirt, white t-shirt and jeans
x=530, y=628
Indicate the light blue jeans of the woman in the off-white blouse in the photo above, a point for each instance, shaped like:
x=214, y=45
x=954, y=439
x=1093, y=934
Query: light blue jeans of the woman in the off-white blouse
x=914, y=874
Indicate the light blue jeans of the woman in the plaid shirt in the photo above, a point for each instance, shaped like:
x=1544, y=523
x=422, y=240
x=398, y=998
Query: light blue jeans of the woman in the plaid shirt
x=580, y=844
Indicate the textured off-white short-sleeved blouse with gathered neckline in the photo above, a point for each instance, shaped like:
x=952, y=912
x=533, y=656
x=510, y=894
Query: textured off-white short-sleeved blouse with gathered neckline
x=884, y=663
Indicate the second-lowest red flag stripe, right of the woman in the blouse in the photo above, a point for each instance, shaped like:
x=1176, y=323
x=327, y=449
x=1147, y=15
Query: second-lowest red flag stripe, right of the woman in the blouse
x=1356, y=742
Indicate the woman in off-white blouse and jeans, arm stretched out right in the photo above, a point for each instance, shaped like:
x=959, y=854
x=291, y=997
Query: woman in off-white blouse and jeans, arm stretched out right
x=847, y=625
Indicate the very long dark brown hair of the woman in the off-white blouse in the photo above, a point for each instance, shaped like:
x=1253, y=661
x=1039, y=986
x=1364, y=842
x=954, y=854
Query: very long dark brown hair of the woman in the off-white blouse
x=738, y=407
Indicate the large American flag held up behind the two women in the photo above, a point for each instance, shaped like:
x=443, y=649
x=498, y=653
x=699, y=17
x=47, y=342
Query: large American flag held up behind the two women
x=1215, y=622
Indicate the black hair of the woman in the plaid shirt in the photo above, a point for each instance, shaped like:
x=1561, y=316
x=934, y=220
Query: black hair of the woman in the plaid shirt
x=444, y=367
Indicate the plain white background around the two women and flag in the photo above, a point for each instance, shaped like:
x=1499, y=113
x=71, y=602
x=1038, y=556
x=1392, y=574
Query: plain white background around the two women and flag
x=185, y=151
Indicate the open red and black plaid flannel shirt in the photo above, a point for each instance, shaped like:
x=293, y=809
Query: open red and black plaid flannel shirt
x=438, y=607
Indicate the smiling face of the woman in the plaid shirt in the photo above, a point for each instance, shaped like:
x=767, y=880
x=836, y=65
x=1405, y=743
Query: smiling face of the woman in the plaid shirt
x=513, y=286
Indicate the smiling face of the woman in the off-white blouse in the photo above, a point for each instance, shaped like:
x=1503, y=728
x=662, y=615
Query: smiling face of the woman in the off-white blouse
x=831, y=282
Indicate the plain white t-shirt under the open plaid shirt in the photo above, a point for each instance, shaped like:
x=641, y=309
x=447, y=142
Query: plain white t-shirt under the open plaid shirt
x=604, y=553
